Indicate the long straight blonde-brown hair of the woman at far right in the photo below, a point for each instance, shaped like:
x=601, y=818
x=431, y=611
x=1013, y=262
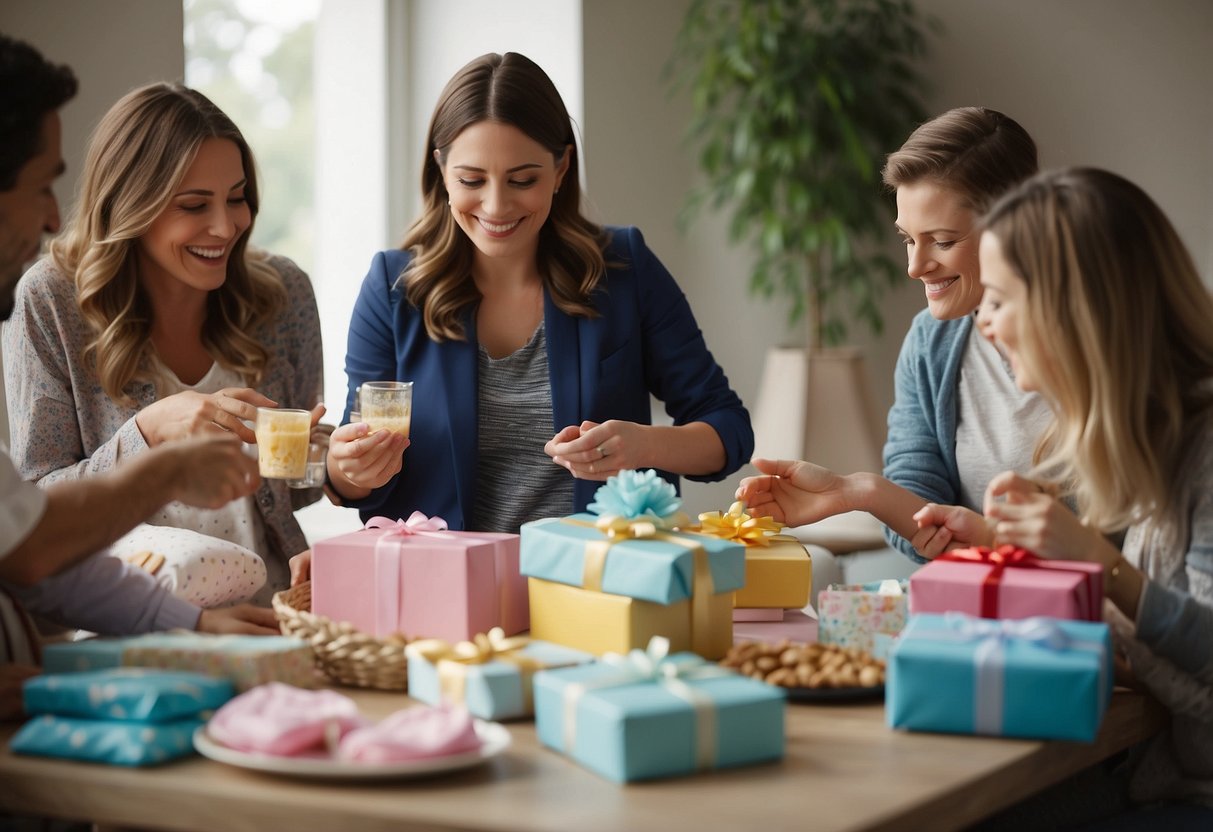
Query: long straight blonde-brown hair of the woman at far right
x=1118, y=334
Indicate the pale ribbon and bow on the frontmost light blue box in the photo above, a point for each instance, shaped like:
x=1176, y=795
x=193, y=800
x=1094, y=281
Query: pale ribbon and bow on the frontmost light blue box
x=653, y=666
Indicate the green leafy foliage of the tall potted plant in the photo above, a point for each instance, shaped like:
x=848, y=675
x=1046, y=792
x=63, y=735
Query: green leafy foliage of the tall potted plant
x=796, y=105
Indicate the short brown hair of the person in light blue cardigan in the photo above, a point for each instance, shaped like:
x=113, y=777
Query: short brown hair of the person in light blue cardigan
x=975, y=152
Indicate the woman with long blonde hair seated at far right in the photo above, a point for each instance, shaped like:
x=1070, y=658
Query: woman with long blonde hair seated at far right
x=1100, y=307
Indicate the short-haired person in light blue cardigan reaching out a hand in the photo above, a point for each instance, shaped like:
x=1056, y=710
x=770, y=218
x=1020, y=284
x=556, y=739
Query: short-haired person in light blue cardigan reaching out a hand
x=958, y=419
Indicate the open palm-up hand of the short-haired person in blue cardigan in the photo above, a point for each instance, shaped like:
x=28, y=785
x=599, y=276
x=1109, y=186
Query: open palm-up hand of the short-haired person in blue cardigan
x=794, y=493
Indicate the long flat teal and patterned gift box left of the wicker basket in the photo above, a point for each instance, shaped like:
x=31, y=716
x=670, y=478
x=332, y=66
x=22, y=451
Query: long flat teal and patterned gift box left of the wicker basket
x=247, y=660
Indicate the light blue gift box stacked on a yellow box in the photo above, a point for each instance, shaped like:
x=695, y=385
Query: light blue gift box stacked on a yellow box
x=646, y=568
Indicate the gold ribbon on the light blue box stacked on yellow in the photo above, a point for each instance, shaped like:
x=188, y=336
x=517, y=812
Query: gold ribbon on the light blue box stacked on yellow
x=618, y=529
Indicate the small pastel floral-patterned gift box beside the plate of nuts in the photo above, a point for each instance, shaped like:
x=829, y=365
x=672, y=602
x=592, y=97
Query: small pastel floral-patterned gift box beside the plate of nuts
x=853, y=614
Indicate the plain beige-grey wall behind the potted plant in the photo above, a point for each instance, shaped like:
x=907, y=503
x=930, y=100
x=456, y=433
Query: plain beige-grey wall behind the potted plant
x=1114, y=83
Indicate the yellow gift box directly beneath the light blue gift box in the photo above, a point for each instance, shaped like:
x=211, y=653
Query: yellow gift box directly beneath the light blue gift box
x=600, y=623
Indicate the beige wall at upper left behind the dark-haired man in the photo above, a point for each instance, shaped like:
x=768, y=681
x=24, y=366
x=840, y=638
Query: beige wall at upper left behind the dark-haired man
x=112, y=48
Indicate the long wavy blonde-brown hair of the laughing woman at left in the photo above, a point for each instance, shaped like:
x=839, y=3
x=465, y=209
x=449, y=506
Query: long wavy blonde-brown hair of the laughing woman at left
x=136, y=159
